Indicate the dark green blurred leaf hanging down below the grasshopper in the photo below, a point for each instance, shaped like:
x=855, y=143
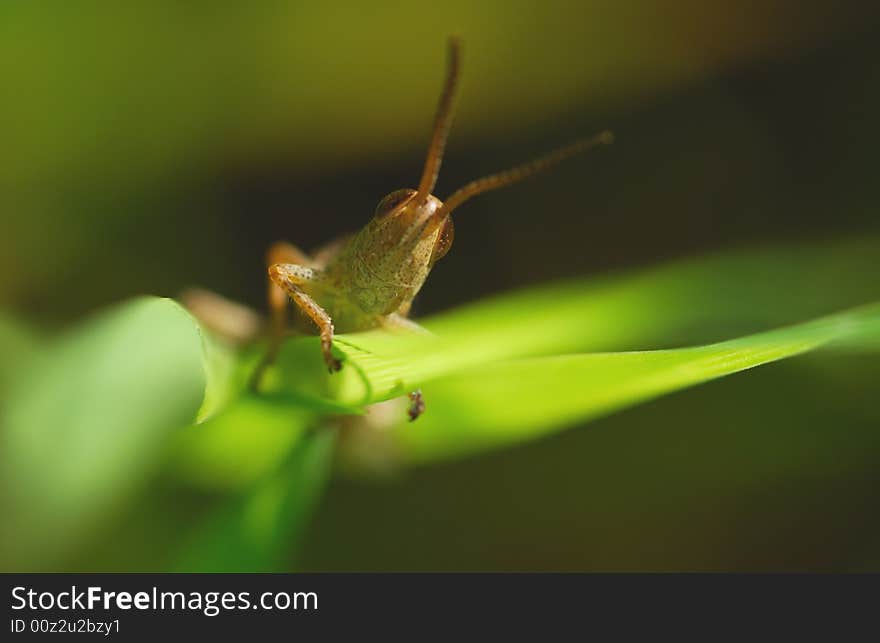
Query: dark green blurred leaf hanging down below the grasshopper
x=257, y=530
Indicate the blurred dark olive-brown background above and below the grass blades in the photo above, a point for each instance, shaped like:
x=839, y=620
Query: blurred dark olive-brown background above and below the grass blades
x=150, y=148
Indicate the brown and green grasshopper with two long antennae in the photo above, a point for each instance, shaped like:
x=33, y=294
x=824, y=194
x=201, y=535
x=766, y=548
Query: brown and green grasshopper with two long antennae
x=370, y=279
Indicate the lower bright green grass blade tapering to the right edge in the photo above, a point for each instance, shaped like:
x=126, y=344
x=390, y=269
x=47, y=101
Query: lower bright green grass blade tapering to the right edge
x=514, y=401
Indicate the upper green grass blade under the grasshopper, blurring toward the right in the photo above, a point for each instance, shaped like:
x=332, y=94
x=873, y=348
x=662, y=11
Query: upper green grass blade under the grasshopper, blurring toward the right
x=695, y=301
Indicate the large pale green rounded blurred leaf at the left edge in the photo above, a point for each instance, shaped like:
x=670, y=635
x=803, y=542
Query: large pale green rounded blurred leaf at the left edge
x=87, y=421
